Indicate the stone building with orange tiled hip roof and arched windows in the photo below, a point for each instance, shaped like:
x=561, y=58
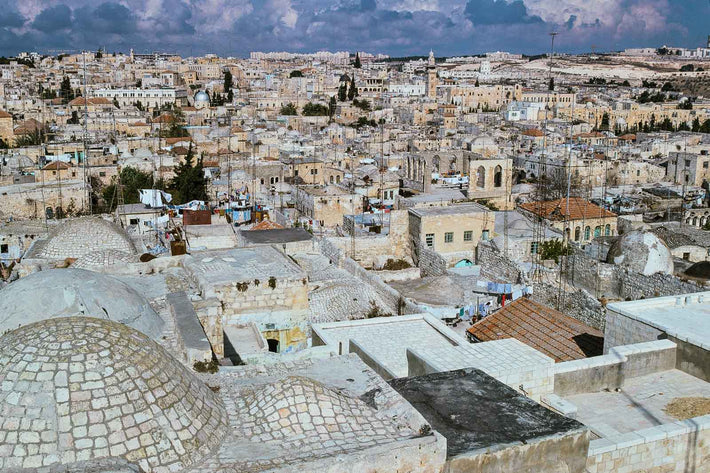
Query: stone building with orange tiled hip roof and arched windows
x=577, y=219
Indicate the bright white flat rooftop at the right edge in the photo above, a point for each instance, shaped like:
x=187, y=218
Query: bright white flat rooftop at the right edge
x=685, y=317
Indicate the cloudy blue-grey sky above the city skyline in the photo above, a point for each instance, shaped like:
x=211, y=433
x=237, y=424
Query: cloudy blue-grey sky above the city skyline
x=395, y=27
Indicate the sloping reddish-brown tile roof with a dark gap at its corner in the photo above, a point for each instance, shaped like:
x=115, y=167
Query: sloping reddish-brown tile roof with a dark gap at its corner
x=542, y=328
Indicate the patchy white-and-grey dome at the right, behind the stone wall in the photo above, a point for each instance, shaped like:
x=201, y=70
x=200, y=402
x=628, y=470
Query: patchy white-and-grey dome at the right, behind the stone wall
x=642, y=252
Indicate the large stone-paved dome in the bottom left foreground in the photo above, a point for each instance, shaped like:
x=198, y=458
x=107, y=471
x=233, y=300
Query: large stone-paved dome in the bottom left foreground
x=78, y=388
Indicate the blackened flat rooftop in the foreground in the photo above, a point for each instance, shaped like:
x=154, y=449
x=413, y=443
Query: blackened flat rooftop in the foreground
x=493, y=414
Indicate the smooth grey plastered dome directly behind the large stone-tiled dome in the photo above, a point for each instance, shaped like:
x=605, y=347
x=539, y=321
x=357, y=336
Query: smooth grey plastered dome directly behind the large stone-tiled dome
x=66, y=292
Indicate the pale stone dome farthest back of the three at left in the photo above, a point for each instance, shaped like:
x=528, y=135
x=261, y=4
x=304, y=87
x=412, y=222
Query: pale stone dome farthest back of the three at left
x=75, y=238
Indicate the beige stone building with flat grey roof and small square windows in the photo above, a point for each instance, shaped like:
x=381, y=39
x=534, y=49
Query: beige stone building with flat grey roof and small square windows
x=452, y=231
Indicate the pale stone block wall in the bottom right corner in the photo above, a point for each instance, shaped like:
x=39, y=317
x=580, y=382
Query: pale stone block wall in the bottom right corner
x=682, y=447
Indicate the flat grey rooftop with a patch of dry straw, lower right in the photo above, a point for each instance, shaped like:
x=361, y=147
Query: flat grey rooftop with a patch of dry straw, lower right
x=639, y=404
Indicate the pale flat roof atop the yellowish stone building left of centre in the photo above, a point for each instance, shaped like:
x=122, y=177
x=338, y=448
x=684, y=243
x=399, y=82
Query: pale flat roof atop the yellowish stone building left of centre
x=219, y=267
